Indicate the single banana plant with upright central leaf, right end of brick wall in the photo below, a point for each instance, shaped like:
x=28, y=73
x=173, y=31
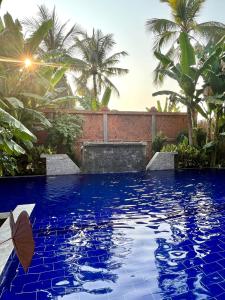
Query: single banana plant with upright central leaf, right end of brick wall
x=187, y=74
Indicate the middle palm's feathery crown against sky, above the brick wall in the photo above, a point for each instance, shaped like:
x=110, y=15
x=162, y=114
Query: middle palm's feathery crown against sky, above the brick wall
x=98, y=64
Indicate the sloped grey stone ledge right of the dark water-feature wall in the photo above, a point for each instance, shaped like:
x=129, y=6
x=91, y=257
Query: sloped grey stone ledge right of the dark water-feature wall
x=162, y=161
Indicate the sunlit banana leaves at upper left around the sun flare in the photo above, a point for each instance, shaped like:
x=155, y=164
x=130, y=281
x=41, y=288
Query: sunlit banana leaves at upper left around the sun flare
x=25, y=91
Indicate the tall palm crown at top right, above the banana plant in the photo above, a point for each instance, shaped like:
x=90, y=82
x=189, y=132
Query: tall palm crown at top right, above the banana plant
x=184, y=19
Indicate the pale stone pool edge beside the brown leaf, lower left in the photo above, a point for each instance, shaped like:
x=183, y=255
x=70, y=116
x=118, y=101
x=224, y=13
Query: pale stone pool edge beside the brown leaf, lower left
x=5, y=233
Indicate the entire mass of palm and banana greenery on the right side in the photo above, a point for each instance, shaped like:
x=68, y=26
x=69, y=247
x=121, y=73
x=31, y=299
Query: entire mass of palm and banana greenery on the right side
x=196, y=61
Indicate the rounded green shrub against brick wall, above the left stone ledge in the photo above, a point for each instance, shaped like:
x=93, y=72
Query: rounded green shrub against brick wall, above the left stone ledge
x=65, y=130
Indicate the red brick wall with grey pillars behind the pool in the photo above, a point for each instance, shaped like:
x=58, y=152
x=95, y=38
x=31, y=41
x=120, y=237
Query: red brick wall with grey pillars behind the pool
x=124, y=126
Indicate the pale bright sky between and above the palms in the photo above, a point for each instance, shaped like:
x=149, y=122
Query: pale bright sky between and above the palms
x=126, y=20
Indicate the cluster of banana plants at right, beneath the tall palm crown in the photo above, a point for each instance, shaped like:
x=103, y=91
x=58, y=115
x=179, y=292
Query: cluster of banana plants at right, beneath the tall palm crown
x=193, y=67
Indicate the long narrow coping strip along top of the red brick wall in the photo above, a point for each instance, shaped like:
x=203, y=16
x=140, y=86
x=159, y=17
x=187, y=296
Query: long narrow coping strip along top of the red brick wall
x=86, y=112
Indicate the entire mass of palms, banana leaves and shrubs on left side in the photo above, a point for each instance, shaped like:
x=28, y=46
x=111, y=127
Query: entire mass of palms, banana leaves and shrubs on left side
x=34, y=69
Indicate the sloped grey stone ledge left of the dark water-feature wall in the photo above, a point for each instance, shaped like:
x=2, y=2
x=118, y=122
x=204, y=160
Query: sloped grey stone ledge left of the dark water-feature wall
x=60, y=164
